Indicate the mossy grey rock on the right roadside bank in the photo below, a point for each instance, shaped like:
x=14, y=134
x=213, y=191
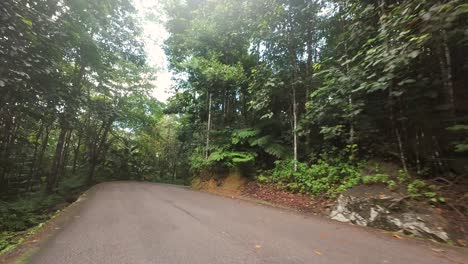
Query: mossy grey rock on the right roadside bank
x=376, y=206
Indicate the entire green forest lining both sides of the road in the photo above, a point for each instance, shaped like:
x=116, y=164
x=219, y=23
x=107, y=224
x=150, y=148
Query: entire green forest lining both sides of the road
x=301, y=94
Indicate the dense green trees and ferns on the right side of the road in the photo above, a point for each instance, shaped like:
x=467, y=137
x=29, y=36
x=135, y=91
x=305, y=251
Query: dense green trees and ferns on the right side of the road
x=306, y=91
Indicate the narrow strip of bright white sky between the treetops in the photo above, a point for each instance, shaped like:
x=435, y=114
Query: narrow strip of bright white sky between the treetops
x=154, y=36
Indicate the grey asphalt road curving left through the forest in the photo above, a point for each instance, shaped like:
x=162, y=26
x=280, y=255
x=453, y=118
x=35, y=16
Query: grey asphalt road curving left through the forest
x=130, y=222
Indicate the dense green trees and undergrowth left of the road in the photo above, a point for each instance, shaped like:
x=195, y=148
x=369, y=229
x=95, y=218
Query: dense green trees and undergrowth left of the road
x=74, y=106
